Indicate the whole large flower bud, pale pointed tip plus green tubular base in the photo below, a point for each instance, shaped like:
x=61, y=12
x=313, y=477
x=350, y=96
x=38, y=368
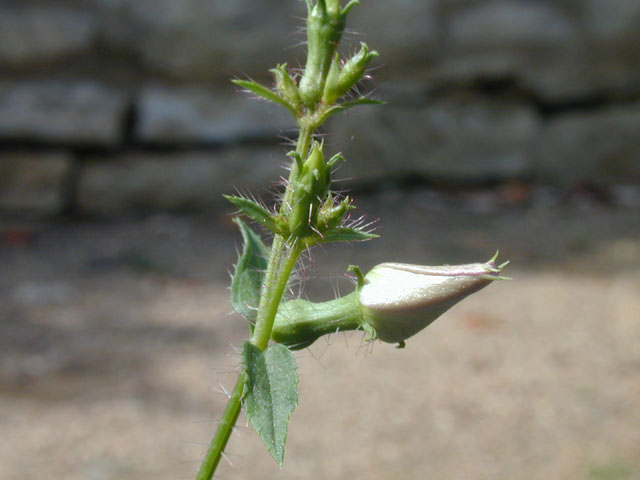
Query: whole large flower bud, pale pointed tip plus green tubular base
x=392, y=302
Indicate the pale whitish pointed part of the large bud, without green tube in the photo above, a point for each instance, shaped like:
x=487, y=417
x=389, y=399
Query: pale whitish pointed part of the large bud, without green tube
x=398, y=300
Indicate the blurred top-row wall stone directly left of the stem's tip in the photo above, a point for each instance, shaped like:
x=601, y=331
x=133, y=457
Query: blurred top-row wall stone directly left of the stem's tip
x=203, y=38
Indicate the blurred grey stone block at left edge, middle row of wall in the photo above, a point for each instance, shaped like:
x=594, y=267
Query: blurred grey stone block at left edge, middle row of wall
x=73, y=113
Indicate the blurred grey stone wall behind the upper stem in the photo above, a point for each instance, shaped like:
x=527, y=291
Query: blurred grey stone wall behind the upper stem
x=111, y=106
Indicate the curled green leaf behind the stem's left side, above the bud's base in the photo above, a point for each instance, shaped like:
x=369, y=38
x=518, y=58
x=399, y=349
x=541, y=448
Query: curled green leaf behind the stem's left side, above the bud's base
x=248, y=274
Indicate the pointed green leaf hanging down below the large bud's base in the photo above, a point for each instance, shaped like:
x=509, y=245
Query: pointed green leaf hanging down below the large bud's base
x=271, y=395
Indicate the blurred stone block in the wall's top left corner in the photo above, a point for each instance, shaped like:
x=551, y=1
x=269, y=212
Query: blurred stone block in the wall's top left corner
x=37, y=35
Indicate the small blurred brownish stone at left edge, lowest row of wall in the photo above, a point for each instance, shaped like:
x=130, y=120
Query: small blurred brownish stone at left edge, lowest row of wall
x=34, y=182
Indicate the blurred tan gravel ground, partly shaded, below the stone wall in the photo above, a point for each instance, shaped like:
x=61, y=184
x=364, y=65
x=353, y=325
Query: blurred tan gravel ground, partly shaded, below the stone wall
x=117, y=345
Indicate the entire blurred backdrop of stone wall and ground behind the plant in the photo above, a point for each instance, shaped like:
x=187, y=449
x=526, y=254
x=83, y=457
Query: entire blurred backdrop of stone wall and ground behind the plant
x=509, y=124
